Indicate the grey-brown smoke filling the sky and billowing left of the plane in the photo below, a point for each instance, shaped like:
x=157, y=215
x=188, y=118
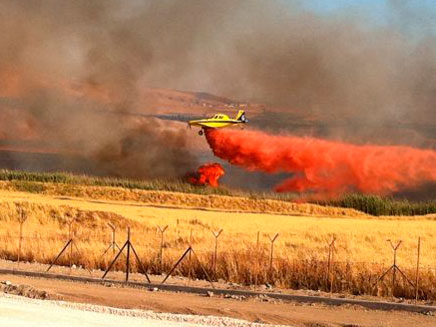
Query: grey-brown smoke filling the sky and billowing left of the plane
x=274, y=52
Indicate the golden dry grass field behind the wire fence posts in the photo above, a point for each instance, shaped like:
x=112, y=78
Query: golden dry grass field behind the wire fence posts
x=300, y=252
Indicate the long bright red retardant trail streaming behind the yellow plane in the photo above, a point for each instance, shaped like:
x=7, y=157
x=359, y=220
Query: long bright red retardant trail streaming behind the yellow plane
x=325, y=167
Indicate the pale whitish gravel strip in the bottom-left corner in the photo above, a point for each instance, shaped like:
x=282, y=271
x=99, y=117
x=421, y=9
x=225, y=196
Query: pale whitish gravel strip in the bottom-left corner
x=22, y=312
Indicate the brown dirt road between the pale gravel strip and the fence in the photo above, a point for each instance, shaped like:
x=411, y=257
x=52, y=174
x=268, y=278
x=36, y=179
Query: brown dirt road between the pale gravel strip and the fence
x=254, y=310
